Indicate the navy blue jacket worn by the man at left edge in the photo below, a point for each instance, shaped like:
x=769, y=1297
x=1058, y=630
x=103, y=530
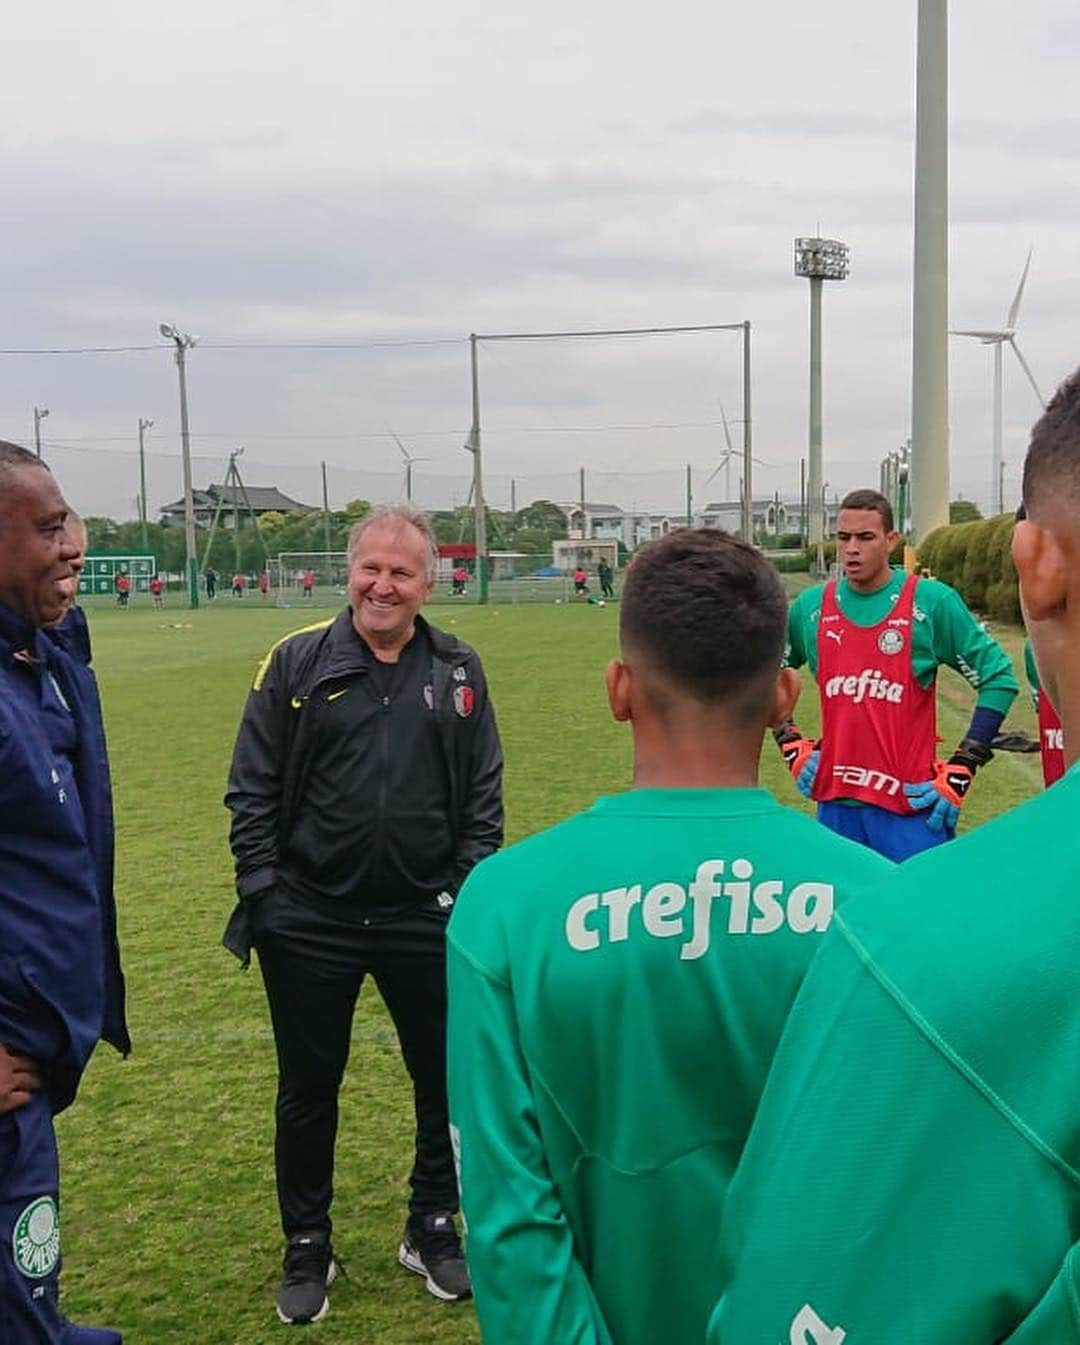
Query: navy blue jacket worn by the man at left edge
x=61, y=985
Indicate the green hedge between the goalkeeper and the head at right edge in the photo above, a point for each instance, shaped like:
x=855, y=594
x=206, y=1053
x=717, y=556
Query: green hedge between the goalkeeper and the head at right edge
x=977, y=560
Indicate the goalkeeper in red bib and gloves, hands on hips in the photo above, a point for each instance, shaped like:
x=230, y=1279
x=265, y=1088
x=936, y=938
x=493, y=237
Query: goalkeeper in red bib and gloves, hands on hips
x=875, y=641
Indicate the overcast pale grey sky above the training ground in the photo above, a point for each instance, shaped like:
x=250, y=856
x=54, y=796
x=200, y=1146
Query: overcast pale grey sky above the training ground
x=397, y=174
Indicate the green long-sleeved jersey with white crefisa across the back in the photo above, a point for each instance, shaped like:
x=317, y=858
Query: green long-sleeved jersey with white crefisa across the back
x=618, y=988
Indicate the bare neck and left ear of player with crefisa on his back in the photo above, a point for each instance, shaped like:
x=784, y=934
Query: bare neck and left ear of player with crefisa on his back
x=680, y=743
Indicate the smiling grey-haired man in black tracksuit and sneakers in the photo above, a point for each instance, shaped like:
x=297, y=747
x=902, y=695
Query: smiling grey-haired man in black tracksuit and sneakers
x=367, y=783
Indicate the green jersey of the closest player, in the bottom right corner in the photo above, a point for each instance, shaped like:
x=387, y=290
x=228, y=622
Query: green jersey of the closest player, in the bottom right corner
x=914, y=1174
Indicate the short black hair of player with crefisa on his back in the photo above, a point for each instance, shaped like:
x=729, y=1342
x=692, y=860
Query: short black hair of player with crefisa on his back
x=708, y=614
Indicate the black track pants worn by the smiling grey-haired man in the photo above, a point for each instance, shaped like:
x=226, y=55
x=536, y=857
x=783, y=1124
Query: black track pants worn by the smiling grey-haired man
x=314, y=964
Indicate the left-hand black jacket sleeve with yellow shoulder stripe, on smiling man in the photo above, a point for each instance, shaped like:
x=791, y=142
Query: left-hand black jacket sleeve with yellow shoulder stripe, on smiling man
x=254, y=796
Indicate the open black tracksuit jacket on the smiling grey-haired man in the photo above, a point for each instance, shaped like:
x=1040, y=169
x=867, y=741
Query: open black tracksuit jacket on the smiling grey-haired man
x=279, y=731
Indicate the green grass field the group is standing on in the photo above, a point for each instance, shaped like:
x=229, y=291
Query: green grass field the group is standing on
x=169, y=1206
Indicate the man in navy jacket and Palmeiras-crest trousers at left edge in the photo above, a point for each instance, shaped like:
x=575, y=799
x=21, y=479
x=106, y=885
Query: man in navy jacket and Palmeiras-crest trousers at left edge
x=61, y=985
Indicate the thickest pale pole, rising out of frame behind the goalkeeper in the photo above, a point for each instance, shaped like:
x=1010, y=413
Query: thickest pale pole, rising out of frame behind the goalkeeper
x=930, y=299
